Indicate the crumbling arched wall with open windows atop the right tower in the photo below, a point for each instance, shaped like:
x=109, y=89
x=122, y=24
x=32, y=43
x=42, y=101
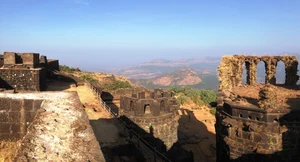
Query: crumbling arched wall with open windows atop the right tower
x=231, y=69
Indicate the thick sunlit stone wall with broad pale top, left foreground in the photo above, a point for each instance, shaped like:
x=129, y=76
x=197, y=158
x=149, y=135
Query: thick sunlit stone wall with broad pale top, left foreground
x=47, y=126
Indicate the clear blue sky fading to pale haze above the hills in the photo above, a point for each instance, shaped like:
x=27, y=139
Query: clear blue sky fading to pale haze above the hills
x=106, y=34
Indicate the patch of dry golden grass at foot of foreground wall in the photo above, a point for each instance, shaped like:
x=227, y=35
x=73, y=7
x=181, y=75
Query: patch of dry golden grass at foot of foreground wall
x=8, y=150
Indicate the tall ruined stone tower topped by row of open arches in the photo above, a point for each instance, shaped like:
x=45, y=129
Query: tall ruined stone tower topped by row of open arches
x=266, y=128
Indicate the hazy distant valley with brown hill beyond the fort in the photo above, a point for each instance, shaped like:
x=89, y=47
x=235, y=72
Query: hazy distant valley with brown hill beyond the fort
x=195, y=73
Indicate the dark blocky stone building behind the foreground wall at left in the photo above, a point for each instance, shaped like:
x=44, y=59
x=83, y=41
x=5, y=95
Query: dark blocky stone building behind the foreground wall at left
x=25, y=71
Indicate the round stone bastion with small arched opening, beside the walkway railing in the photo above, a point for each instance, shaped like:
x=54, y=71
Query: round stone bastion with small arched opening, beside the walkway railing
x=155, y=114
